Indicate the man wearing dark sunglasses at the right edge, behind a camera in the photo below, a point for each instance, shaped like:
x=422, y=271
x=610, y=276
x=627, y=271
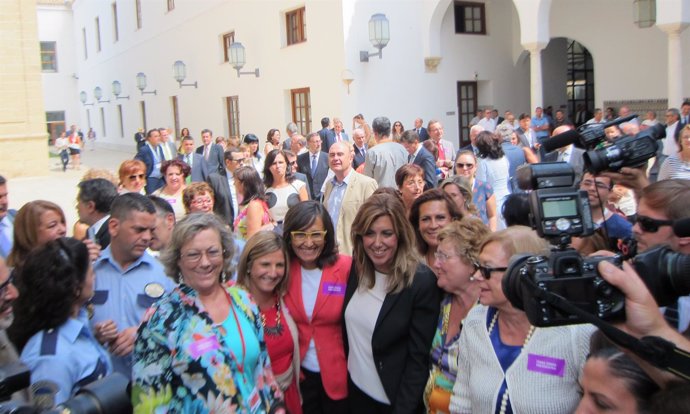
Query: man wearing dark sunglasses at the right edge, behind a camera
x=660, y=205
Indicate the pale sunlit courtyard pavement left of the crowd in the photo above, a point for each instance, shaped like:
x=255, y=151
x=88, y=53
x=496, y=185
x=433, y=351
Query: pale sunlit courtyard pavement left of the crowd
x=61, y=187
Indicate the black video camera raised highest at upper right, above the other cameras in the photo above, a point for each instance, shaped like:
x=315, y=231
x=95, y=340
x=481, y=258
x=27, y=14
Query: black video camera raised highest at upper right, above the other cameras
x=626, y=151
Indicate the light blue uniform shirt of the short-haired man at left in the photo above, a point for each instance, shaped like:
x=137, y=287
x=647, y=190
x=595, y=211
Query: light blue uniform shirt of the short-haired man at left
x=123, y=295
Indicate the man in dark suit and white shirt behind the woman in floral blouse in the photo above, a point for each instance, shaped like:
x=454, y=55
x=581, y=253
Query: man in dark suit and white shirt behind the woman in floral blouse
x=223, y=185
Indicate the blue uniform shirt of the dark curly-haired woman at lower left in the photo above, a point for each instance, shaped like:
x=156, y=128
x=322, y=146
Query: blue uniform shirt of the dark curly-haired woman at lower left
x=62, y=360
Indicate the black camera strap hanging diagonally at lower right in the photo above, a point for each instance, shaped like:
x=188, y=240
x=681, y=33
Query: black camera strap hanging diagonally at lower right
x=653, y=349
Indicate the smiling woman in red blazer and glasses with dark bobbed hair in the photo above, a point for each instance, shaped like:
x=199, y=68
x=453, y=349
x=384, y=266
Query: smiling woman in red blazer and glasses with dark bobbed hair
x=318, y=276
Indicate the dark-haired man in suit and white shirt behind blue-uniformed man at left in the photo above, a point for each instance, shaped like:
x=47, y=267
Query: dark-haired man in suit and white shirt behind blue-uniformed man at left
x=93, y=206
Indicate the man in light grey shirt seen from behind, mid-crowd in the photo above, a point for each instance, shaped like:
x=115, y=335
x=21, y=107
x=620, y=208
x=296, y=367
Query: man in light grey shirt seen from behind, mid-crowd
x=383, y=160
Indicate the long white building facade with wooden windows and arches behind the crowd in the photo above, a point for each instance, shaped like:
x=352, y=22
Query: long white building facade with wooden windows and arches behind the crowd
x=444, y=60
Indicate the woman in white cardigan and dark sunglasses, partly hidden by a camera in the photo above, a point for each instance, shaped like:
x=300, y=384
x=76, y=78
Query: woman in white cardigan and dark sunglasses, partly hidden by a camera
x=506, y=364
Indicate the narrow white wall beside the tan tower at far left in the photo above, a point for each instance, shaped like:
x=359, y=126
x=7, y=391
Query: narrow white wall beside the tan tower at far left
x=59, y=88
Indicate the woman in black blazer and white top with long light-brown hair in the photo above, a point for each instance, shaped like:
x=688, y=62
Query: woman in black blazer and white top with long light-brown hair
x=390, y=312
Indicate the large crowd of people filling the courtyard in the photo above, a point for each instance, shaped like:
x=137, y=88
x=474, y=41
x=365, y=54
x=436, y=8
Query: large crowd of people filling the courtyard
x=338, y=273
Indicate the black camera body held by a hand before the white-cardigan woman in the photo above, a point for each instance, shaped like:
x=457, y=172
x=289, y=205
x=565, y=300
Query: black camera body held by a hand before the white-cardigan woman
x=568, y=275
